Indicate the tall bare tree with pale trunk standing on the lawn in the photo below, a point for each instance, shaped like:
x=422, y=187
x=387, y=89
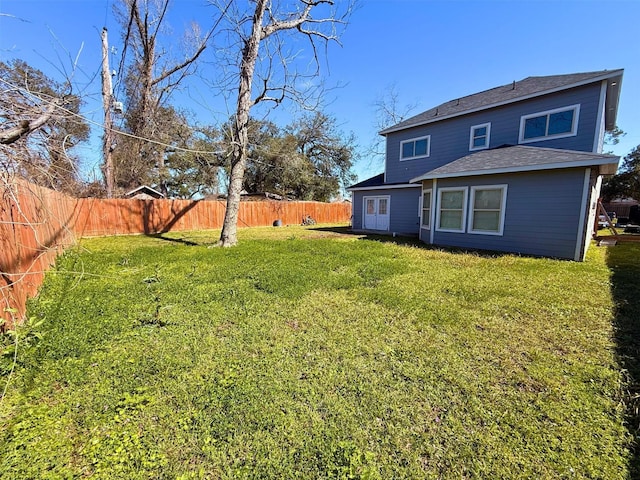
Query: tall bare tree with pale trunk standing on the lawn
x=262, y=38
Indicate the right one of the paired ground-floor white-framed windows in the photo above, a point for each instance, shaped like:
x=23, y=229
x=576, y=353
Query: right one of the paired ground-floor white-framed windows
x=487, y=209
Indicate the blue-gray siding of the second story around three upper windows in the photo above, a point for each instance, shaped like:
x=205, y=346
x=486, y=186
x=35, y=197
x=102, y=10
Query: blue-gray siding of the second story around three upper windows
x=450, y=138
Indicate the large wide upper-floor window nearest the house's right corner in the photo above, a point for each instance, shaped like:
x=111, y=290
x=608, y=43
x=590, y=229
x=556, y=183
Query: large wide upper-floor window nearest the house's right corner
x=558, y=123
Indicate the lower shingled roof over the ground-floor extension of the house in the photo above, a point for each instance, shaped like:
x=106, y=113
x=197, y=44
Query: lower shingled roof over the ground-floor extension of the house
x=520, y=158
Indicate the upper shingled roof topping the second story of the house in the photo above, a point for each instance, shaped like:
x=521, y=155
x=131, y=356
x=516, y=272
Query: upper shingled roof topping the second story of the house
x=516, y=91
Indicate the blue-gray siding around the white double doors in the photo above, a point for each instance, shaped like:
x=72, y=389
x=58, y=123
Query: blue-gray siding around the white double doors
x=403, y=209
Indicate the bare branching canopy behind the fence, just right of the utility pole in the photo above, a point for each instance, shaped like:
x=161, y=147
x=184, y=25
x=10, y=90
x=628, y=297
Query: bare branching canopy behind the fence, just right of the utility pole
x=152, y=72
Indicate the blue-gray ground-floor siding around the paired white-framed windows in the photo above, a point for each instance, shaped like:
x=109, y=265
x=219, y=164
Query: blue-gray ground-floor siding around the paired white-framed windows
x=541, y=217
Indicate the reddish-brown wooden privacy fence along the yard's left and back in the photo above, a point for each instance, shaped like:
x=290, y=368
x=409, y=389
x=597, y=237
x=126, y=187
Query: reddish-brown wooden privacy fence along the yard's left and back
x=36, y=224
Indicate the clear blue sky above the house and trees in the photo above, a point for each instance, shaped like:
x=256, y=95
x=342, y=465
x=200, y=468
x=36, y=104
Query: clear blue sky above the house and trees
x=430, y=51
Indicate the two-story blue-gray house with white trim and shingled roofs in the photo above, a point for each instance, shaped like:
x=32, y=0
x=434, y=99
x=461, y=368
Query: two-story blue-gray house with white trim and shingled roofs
x=517, y=168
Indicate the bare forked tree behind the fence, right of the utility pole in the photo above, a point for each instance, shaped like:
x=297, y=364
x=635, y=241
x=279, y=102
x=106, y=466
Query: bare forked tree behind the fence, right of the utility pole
x=153, y=74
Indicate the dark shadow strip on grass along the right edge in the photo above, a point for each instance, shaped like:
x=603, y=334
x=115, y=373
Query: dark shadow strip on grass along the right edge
x=624, y=262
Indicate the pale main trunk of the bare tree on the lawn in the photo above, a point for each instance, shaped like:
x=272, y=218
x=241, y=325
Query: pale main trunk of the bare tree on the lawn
x=240, y=135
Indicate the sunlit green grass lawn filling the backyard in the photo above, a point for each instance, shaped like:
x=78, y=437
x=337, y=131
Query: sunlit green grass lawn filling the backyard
x=306, y=353
